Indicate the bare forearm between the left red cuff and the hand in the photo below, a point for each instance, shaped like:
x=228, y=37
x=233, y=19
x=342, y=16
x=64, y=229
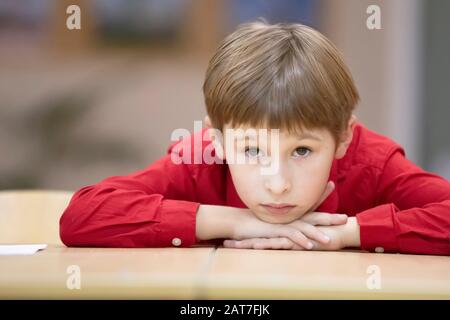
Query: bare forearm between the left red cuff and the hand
x=215, y=222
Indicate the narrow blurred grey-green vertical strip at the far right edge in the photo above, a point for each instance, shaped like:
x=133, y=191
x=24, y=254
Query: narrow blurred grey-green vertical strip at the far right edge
x=436, y=102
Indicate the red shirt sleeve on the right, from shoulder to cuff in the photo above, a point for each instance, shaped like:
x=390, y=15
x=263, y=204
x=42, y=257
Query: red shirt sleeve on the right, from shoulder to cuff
x=412, y=213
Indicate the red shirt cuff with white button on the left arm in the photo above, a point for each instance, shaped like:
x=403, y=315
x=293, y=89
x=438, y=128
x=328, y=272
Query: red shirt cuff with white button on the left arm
x=177, y=224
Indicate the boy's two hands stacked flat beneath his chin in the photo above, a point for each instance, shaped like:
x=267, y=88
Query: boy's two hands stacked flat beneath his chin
x=299, y=232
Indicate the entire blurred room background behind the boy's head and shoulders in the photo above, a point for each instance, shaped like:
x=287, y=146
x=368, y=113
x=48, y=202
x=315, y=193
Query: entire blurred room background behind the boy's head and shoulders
x=77, y=106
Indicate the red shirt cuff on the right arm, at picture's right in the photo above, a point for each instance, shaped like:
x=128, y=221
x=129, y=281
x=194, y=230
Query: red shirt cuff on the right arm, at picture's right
x=377, y=231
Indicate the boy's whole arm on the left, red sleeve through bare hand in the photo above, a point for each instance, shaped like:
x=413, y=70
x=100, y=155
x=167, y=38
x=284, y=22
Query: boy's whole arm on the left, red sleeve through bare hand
x=157, y=207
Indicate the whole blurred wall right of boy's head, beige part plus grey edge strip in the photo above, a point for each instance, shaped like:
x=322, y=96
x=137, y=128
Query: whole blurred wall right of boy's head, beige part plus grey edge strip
x=401, y=72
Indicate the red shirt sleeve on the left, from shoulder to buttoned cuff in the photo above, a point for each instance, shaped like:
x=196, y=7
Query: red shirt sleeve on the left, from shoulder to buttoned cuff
x=154, y=207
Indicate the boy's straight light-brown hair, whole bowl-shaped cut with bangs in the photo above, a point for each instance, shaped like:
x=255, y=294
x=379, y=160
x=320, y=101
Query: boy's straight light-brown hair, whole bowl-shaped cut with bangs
x=286, y=76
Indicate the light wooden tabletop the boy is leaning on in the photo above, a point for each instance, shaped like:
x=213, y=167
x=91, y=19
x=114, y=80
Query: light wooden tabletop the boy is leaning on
x=219, y=273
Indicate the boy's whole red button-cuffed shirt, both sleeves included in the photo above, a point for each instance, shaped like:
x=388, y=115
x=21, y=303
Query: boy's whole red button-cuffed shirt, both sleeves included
x=399, y=207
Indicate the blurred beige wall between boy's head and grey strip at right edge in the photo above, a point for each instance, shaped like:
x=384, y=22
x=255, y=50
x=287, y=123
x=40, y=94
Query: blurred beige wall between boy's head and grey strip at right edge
x=385, y=63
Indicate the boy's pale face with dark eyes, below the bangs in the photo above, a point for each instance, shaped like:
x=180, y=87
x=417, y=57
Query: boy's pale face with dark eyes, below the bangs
x=299, y=177
